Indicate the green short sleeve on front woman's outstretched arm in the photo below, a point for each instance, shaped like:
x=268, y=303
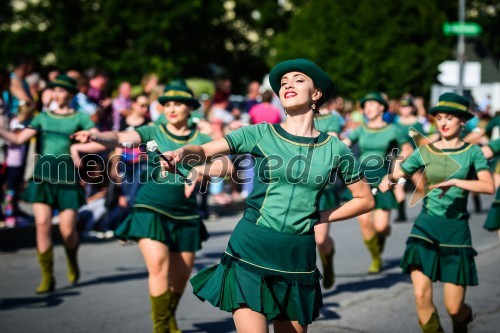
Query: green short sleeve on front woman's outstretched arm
x=243, y=140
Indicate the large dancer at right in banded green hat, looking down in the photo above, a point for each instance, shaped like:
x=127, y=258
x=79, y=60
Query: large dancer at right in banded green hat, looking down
x=439, y=247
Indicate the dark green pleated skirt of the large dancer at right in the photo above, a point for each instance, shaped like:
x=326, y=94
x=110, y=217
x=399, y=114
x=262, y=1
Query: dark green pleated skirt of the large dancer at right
x=441, y=248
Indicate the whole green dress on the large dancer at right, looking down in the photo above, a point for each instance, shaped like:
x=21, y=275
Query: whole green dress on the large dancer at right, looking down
x=440, y=242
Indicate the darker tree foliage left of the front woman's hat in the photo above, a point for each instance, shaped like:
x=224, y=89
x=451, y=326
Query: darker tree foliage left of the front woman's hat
x=129, y=38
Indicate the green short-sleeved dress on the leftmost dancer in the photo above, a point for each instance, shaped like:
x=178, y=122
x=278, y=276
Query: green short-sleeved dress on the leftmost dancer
x=55, y=180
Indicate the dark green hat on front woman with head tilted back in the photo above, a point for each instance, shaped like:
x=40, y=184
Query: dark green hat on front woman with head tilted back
x=320, y=78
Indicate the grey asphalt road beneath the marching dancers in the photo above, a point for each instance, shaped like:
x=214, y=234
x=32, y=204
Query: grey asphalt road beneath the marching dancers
x=113, y=295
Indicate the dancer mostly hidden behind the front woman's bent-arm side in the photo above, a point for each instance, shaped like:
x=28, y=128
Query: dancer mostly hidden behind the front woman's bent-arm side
x=328, y=123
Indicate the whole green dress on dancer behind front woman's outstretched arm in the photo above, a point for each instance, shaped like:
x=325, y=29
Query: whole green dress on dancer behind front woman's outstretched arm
x=161, y=211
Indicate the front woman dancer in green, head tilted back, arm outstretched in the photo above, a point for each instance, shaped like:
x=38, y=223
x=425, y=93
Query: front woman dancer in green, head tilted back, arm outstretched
x=268, y=271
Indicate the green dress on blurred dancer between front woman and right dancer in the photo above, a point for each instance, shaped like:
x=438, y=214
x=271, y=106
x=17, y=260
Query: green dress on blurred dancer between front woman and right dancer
x=375, y=144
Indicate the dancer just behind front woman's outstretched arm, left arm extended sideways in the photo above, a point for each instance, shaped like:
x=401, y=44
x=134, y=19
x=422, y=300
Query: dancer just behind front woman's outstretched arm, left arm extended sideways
x=164, y=218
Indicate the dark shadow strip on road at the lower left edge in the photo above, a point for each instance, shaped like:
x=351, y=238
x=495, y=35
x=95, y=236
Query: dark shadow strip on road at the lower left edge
x=50, y=300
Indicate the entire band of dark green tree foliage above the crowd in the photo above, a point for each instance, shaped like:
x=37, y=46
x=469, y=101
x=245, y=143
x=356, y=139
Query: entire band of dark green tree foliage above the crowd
x=392, y=46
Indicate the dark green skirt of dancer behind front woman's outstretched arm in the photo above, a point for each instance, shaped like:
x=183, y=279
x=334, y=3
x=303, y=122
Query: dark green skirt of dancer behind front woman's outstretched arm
x=180, y=235
